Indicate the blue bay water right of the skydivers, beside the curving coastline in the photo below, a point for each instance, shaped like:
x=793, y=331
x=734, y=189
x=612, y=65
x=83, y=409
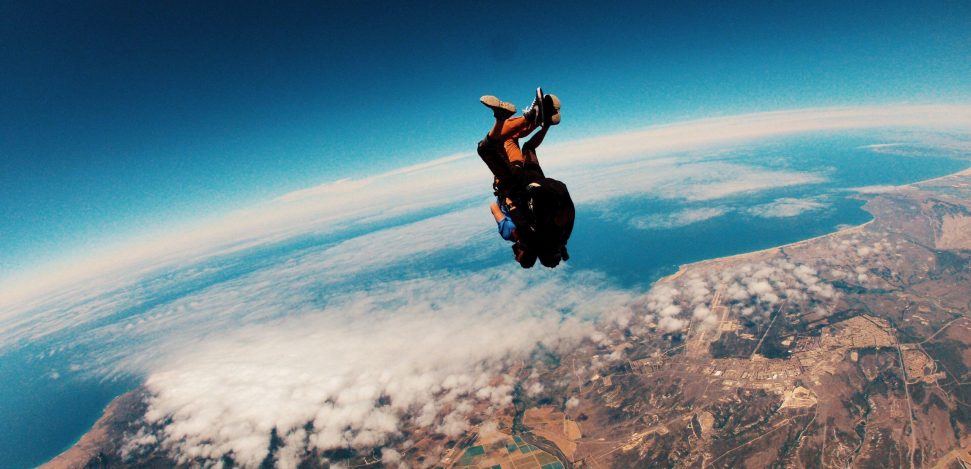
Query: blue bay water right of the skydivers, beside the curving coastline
x=636, y=257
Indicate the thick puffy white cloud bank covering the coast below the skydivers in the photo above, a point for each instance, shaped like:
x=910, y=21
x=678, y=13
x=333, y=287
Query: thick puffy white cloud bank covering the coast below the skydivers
x=422, y=353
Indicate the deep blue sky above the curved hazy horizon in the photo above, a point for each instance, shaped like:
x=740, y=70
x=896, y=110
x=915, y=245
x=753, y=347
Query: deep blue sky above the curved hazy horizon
x=120, y=118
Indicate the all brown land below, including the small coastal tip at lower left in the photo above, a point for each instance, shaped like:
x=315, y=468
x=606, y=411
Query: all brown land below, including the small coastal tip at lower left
x=867, y=366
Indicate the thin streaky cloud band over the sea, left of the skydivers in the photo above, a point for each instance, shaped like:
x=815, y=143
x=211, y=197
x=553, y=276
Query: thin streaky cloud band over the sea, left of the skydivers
x=461, y=233
